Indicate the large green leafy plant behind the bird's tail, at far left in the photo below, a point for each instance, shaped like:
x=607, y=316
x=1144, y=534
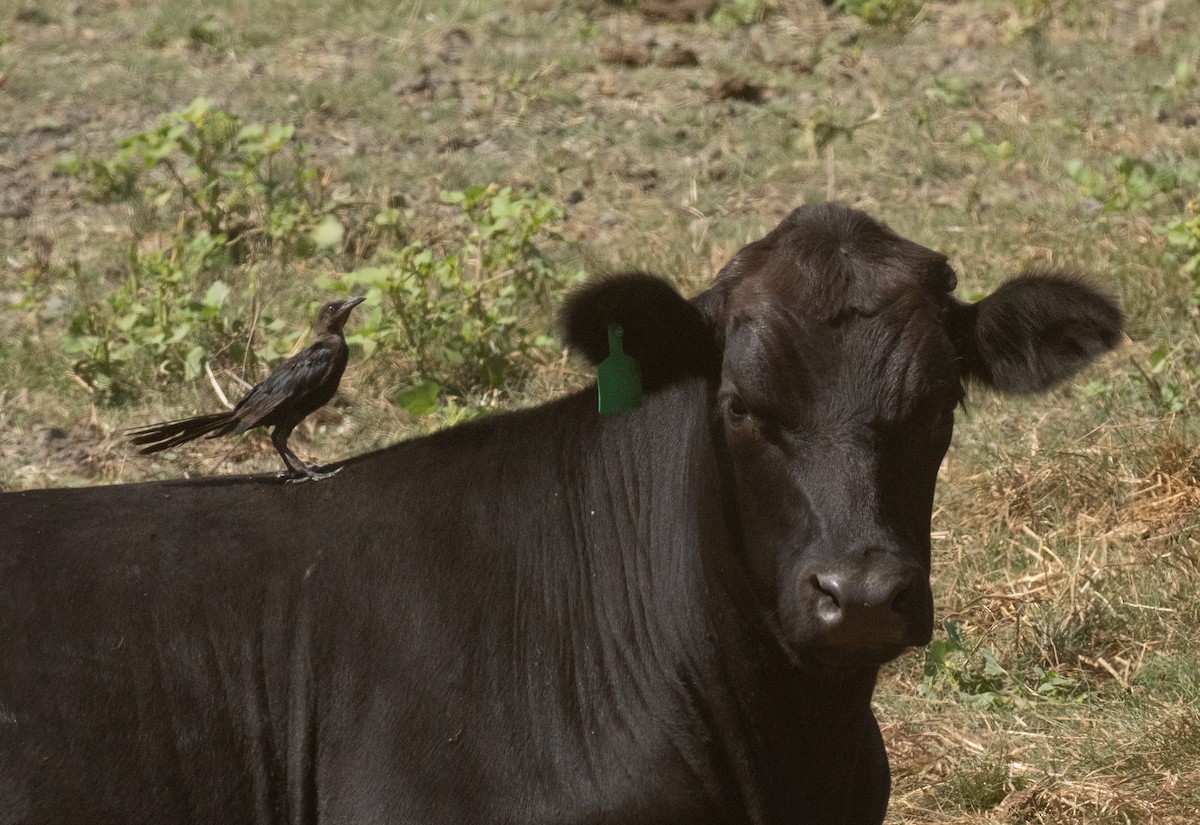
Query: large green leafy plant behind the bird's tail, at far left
x=223, y=201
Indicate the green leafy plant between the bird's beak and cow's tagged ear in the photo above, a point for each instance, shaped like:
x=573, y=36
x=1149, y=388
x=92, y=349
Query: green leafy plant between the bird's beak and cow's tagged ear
x=469, y=314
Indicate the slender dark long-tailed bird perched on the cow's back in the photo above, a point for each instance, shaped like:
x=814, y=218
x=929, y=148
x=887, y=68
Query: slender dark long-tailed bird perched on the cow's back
x=298, y=387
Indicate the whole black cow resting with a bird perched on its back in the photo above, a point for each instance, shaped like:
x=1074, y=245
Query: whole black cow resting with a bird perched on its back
x=549, y=617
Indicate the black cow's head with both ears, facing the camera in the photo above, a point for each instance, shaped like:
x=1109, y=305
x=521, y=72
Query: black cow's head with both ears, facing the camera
x=837, y=357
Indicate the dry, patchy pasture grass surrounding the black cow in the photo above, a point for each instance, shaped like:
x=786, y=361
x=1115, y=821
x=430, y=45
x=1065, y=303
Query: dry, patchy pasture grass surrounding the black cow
x=1066, y=531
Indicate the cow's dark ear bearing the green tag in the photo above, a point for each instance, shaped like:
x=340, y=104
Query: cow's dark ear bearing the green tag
x=664, y=333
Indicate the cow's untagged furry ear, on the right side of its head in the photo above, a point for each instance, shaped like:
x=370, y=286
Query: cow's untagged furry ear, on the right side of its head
x=1035, y=332
